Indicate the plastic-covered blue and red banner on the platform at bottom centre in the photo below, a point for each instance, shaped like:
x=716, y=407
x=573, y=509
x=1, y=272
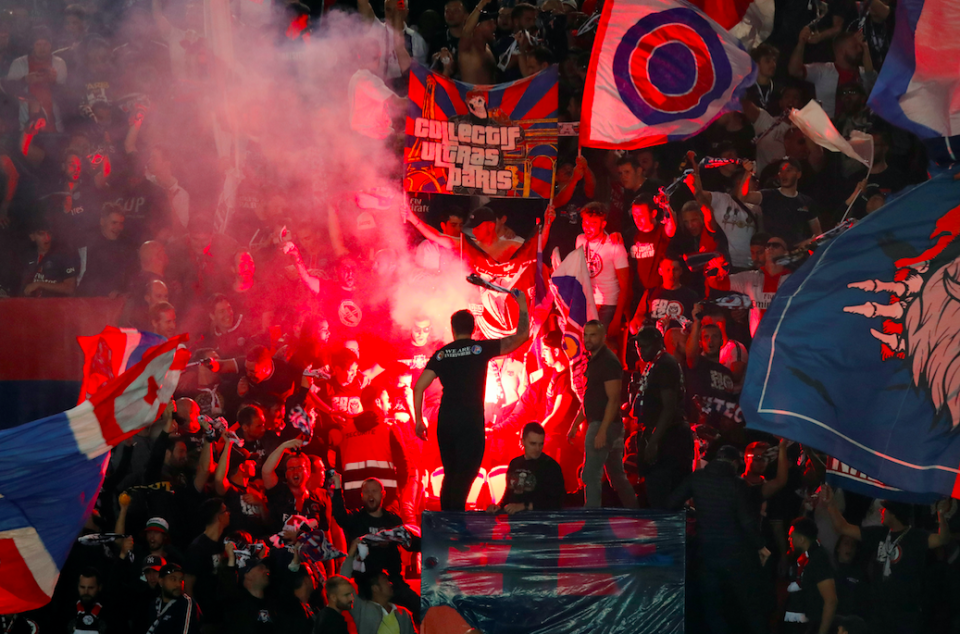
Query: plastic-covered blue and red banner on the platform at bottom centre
x=569, y=572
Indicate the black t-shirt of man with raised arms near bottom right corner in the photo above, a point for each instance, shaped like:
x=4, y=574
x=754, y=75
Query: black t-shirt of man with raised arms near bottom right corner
x=902, y=591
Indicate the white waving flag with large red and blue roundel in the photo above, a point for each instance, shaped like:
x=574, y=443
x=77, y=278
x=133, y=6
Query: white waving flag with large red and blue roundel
x=661, y=71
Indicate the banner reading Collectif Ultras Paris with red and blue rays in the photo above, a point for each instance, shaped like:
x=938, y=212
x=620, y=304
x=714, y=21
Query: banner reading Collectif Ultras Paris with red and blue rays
x=498, y=141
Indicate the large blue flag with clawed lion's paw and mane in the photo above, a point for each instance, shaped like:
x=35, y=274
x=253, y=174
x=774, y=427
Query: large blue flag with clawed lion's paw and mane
x=858, y=355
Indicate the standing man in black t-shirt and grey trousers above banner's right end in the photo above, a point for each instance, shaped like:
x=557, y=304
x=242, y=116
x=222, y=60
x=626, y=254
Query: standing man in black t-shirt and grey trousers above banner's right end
x=603, y=444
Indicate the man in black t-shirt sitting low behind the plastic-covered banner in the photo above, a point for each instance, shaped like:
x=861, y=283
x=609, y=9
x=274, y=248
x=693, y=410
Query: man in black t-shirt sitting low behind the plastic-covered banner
x=534, y=480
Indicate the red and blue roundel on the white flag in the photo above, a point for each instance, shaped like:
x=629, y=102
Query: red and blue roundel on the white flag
x=670, y=66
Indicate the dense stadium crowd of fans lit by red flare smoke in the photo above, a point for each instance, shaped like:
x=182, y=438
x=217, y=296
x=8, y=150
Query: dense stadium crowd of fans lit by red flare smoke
x=217, y=525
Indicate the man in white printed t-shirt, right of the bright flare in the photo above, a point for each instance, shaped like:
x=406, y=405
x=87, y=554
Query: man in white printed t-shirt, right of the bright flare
x=609, y=268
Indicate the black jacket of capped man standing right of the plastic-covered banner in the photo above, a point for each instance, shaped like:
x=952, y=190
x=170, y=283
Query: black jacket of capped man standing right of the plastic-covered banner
x=726, y=528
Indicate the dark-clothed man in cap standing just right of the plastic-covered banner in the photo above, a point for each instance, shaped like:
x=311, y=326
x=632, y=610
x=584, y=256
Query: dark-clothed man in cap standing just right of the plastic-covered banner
x=731, y=548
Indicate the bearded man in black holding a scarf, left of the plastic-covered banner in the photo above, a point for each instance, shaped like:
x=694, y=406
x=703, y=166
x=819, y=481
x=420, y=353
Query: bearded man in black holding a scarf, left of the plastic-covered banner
x=371, y=517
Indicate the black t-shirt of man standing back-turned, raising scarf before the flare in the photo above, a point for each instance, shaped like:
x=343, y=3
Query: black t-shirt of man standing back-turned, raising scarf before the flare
x=462, y=369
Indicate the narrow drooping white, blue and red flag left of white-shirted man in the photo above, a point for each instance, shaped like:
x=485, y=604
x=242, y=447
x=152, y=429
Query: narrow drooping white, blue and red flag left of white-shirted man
x=573, y=295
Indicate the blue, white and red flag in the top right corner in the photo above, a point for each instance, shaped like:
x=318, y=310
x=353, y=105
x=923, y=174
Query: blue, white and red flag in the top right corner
x=919, y=87
